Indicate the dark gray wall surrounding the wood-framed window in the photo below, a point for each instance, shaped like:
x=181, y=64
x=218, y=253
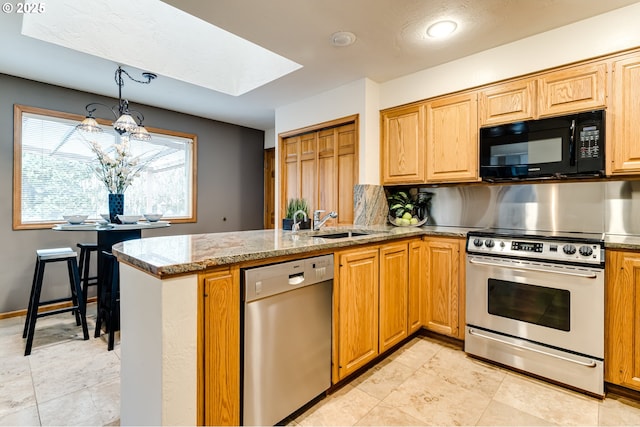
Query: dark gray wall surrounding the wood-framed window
x=230, y=183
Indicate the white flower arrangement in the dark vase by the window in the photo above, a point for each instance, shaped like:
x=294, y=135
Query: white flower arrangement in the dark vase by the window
x=118, y=171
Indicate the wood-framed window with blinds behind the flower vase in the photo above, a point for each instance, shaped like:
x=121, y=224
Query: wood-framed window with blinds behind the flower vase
x=54, y=171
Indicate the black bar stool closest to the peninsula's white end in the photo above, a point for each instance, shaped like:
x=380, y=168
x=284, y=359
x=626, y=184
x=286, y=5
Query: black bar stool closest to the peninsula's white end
x=109, y=299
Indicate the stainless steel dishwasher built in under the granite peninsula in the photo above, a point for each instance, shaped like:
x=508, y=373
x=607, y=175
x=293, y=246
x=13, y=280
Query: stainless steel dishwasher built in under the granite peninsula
x=287, y=337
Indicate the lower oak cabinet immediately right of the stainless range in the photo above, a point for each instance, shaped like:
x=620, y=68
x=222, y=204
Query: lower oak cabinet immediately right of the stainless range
x=622, y=318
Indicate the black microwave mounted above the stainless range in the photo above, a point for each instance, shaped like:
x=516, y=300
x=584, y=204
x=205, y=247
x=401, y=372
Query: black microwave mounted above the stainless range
x=559, y=147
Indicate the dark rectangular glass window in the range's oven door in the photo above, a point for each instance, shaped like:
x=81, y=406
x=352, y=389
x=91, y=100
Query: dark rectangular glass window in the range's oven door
x=538, y=305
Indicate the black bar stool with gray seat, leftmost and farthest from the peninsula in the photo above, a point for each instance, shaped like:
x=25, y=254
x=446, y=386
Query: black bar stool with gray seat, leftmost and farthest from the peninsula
x=43, y=257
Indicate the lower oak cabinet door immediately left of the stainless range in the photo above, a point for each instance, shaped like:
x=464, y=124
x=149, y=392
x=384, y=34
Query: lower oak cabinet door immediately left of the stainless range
x=441, y=299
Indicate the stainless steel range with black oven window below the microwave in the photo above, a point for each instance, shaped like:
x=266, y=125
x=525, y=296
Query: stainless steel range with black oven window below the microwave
x=535, y=302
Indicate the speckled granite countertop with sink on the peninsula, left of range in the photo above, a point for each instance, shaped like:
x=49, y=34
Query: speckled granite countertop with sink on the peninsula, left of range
x=172, y=255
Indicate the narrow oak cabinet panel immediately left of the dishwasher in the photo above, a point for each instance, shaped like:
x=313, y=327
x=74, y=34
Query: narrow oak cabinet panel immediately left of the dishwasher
x=220, y=361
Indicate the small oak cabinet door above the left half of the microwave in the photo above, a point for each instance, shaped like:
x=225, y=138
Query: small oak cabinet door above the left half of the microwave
x=508, y=102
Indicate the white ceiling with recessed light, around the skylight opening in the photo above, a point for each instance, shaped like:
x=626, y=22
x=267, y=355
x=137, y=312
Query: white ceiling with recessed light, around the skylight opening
x=391, y=43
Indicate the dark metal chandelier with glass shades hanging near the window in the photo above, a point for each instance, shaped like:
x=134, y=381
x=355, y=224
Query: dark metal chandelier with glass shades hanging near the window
x=127, y=122
